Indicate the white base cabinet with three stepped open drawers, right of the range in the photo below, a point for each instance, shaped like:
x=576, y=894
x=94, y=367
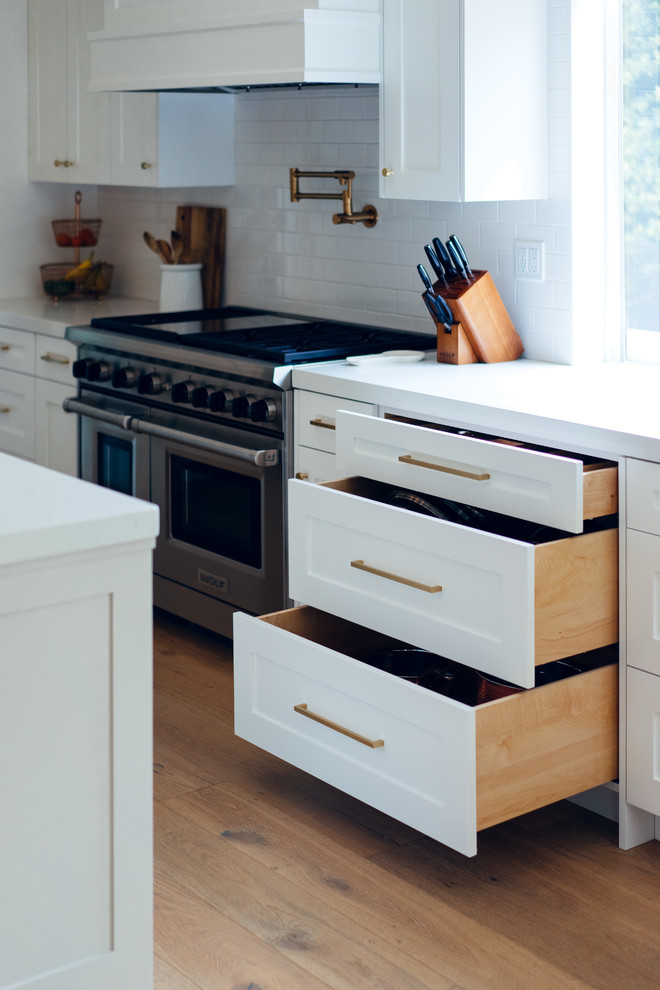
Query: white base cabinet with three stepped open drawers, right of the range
x=376, y=575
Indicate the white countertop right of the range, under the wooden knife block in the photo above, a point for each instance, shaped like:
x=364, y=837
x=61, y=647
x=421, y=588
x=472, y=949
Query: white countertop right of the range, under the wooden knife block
x=610, y=409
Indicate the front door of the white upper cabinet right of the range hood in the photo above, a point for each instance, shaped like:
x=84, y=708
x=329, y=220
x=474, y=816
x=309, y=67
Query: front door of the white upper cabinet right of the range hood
x=420, y=99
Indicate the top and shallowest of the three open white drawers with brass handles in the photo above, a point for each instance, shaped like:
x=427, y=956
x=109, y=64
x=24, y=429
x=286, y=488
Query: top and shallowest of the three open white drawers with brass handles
x=553, y=488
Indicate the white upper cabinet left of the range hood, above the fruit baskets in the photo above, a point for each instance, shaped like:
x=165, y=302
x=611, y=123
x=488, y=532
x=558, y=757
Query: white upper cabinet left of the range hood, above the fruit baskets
x=131, y=139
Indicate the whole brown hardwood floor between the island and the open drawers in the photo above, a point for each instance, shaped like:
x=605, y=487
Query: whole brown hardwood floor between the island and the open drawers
x=267, y=879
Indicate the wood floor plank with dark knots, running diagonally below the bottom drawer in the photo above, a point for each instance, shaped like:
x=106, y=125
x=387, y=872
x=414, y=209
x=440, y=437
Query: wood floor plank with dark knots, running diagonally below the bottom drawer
x=371, y=899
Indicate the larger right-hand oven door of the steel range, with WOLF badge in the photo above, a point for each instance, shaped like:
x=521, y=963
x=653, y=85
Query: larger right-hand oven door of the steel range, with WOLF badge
x=222, y=516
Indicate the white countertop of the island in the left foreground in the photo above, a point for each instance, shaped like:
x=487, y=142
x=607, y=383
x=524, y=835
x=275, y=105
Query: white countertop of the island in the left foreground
x=46, y=514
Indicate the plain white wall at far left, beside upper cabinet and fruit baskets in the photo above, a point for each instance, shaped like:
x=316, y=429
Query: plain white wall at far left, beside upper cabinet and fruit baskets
x=26, y=208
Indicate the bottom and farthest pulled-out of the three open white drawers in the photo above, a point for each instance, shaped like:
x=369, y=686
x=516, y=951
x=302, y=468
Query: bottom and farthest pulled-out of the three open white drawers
x=445, y=768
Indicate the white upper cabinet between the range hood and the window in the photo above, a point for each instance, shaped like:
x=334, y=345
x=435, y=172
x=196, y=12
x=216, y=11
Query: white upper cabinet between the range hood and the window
x=464, y=100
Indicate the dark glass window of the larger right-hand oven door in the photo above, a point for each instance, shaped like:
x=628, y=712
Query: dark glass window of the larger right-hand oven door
x=216, y=510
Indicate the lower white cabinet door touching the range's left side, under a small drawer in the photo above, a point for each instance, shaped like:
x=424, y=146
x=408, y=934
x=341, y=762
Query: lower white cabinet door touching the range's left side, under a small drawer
x=56, y=442
